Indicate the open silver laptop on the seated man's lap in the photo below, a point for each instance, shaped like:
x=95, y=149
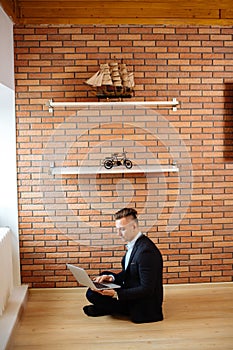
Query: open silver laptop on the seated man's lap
x=82, y=278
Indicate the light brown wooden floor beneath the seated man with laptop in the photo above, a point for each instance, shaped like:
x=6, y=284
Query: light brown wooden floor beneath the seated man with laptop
x=197, y=317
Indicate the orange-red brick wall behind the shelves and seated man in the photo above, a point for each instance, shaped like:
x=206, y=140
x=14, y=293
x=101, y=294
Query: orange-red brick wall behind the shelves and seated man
x=68, y=218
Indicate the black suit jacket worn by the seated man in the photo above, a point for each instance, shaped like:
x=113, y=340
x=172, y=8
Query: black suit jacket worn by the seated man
x=142, y=287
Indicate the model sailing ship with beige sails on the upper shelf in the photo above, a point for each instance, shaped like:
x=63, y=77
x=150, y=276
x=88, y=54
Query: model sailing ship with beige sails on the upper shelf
x=112, y=81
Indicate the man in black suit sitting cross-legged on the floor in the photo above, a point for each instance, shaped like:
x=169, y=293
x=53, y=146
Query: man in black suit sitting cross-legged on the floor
x=141, y=294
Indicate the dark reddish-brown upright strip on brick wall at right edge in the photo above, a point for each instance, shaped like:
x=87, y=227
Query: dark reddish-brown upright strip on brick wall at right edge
x=228, y=122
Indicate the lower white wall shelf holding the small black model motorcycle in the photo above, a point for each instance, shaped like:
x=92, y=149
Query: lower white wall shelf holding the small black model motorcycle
x=115, y=170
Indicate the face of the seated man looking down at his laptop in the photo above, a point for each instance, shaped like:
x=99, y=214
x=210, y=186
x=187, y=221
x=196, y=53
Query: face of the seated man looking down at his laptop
x=127, y=228
